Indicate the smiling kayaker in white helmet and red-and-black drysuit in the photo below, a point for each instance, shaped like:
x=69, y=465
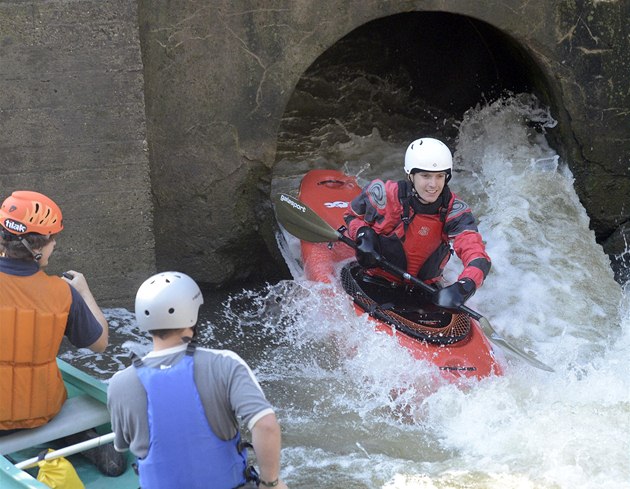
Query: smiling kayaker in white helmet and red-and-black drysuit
x=413, y=223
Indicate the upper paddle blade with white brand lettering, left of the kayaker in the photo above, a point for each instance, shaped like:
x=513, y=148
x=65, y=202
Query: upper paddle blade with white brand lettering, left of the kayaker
x=301, y=221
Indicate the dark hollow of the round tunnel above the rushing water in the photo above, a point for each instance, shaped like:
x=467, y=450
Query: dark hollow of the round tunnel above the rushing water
x=445, y=64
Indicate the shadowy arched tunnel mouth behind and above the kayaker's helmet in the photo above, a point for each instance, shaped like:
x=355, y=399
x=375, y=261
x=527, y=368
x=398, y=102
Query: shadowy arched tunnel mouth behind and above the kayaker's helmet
x=446, y=60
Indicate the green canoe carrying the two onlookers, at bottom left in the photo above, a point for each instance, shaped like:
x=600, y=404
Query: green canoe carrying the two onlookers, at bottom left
x=85, y=408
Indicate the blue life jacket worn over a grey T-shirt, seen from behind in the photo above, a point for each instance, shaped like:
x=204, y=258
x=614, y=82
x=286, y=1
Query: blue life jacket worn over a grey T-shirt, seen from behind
x=183, y=450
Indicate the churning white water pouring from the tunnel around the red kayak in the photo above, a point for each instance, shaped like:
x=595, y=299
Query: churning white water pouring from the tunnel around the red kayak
x=551, y=290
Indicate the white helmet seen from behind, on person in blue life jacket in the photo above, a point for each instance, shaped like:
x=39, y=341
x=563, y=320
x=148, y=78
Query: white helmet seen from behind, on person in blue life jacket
x=168, y=300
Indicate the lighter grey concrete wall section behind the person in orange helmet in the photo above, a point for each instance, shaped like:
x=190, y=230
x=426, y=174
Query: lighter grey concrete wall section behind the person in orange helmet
x=72, y=126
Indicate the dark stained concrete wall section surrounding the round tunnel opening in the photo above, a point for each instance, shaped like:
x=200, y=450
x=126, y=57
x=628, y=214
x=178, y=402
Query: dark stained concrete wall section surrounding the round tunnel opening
x=218, y=76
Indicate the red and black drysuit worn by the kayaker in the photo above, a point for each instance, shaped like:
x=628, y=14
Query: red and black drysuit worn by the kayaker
x=417, y=237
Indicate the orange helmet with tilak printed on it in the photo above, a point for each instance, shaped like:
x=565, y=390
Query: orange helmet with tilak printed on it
x=30, y=212
